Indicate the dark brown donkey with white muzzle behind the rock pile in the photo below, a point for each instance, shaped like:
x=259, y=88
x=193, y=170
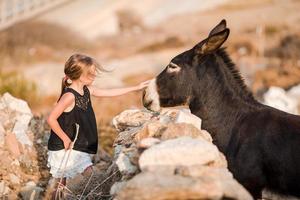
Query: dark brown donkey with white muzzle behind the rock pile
x=261, y=143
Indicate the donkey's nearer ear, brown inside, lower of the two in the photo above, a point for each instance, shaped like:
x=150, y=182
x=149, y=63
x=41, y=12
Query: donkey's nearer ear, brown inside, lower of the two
x=213, y=42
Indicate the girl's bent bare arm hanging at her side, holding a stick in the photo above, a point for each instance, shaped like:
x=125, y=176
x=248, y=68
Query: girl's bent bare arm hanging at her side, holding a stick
x=66, y=101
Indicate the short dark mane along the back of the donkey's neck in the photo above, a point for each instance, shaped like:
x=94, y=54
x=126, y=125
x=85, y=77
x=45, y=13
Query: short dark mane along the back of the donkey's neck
x=235, y=73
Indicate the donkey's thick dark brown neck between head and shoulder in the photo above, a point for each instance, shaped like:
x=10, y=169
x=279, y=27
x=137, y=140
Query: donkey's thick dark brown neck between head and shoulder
x=221, y=101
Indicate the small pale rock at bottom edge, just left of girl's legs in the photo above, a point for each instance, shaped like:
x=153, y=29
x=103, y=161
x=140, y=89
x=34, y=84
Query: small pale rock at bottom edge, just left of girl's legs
x=31, y=191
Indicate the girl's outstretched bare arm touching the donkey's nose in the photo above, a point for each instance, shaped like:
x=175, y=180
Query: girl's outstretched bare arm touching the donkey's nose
x=97, y=92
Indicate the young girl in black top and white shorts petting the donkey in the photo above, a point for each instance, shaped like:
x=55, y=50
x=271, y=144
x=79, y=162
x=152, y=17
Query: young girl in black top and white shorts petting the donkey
x=74, y=106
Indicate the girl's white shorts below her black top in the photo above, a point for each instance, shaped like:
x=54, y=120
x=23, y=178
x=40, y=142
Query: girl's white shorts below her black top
x=76, y=163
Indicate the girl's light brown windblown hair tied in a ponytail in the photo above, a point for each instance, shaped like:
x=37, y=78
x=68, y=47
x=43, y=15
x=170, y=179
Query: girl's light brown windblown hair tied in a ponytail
x=75, y=66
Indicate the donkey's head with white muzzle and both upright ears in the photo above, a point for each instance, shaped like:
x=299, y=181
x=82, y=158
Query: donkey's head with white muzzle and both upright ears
x=176, y=84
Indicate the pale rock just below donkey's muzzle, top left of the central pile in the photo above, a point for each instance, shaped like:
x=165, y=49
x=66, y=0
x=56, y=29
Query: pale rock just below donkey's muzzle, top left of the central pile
x=131, y=118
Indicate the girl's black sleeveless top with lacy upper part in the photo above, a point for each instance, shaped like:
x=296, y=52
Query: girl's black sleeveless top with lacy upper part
x=82, y=114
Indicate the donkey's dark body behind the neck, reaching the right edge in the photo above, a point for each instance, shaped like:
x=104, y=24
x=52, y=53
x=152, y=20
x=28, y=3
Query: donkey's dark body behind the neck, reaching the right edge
x=265, y=152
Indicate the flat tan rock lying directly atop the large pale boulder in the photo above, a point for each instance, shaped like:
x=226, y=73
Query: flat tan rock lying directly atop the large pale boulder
x=183, y=129
